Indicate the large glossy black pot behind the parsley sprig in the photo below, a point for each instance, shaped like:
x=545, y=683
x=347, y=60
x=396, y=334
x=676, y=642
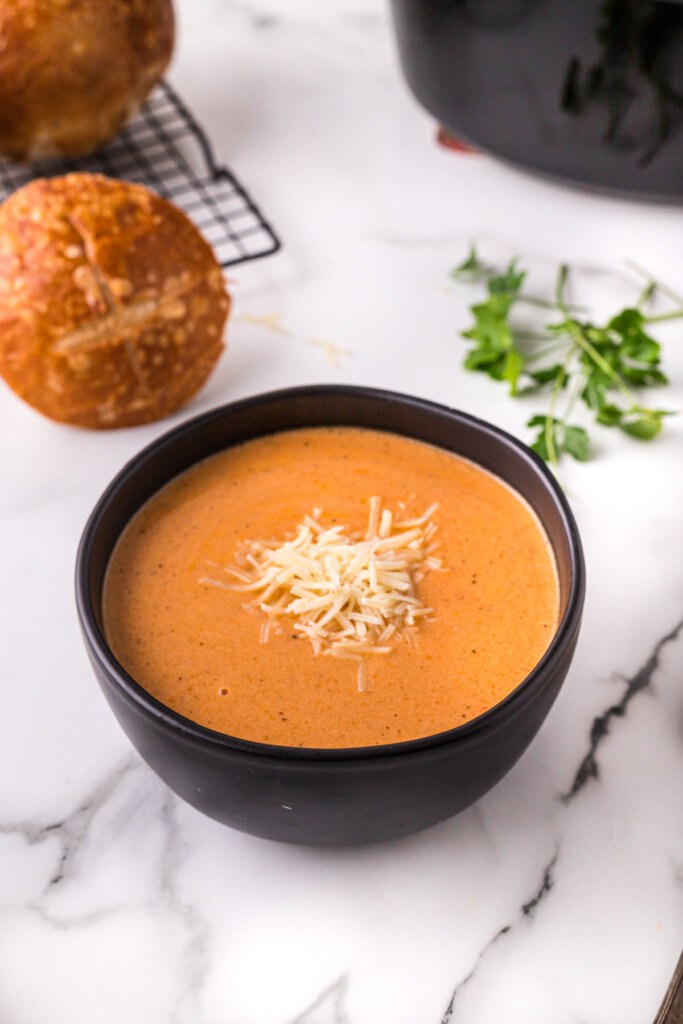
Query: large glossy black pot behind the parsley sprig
x=589, y=92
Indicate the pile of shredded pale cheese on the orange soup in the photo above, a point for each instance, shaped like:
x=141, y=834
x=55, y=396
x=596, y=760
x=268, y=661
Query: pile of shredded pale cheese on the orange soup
x=351, y=595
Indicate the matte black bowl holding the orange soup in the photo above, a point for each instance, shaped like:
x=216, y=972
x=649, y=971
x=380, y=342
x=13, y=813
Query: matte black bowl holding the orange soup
x=331, y=797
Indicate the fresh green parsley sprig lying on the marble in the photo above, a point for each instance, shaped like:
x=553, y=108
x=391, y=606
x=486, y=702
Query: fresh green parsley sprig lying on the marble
x=573, y=359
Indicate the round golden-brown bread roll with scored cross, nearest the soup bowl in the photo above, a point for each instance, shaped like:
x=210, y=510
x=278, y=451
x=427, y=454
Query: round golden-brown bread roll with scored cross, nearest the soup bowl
x=112, y=305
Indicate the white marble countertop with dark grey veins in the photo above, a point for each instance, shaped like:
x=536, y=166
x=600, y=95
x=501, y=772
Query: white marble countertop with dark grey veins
x=559, y=899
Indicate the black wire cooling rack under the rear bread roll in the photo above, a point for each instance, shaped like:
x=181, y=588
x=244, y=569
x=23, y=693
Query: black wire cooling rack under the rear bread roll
x=164, y=149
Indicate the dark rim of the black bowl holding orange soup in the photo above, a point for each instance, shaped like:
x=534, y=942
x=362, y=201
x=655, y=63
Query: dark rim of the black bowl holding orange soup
x=194, y=733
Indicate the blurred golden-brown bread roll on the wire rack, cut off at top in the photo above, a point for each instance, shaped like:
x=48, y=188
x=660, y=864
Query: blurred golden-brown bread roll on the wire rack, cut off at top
x=72, y=72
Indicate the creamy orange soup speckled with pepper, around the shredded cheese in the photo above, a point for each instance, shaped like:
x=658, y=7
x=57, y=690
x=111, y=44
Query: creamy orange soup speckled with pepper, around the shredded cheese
x=200, y=649
